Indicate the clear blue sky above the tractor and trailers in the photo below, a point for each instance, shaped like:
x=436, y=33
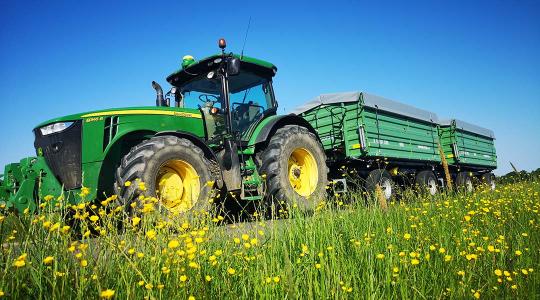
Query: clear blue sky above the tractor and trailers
x=473, y=60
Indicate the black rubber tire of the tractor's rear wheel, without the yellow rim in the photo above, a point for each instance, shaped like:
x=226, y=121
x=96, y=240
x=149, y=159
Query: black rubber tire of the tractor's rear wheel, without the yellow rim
x=275, y=165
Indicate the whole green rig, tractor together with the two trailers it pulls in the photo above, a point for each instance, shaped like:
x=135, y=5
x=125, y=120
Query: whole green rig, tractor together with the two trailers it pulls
x=217, y=130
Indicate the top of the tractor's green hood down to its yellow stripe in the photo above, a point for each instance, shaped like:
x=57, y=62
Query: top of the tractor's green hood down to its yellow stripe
x=142, y=110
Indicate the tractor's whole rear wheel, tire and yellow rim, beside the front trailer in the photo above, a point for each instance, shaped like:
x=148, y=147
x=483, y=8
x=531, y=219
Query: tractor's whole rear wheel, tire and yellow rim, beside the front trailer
x=295, y=167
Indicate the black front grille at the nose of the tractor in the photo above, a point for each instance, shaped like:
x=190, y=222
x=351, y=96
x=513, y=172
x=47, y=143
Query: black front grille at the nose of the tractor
x=62, y=151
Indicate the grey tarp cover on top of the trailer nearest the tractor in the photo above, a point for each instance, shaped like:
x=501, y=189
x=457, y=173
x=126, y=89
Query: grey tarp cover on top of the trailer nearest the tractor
x=372, y=101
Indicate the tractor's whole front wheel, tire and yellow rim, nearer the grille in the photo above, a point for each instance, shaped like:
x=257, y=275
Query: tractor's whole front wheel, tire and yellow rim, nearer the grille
x=173, y=170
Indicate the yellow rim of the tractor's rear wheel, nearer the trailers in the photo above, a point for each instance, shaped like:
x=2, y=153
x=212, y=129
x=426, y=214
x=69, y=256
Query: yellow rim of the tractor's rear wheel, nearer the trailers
x=303, y=172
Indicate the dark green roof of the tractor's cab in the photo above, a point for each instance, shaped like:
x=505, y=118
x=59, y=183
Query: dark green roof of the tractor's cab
x=260, y=67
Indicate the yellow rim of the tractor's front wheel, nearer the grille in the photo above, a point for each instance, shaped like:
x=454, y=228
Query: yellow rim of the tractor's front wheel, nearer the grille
x=178, y=186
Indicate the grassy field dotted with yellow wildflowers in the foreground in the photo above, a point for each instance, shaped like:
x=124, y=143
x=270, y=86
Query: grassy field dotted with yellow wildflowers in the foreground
x=482, y=245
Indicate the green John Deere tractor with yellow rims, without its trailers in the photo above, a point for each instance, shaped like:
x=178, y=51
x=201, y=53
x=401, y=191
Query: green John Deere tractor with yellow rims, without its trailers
x=215, y=130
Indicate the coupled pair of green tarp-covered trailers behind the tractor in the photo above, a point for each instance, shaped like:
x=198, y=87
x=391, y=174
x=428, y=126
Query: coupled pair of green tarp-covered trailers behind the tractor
x=388, y=142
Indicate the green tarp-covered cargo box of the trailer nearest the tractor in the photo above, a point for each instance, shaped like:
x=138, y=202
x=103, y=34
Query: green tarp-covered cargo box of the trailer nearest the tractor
x=360, y=125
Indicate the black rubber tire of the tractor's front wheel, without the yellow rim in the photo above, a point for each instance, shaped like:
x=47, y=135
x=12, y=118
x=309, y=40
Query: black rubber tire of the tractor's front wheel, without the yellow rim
x=145, y=161
